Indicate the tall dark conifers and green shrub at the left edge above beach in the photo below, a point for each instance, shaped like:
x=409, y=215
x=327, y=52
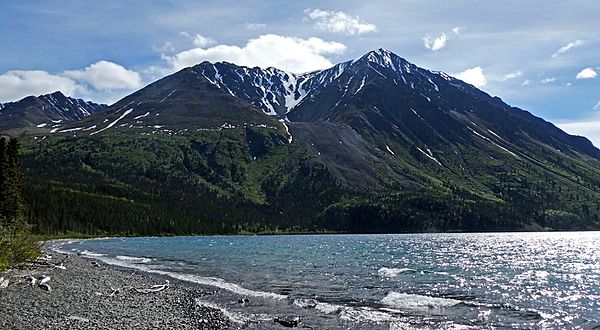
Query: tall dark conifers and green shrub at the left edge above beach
x=16, y=243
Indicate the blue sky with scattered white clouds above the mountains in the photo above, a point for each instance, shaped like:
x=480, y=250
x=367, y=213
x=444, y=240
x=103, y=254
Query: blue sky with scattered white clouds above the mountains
x=539, y=55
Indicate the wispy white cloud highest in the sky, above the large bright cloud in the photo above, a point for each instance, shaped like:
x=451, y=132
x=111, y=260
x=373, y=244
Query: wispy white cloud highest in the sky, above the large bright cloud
x=339, y=22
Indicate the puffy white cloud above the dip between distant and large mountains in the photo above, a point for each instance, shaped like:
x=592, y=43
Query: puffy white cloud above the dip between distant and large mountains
x=104, y=75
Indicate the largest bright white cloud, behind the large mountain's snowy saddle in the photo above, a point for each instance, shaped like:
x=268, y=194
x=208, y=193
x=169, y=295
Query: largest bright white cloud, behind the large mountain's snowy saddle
x=286, y=53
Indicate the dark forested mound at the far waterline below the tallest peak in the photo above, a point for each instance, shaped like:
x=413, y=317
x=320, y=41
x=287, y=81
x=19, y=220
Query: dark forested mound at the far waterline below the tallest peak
x=422, y=211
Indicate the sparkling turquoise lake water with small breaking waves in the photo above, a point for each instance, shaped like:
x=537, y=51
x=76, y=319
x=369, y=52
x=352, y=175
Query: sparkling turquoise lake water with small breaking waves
x=513, y=280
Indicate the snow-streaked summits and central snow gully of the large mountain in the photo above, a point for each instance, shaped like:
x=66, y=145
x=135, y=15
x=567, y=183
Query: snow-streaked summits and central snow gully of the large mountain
x=277, y=92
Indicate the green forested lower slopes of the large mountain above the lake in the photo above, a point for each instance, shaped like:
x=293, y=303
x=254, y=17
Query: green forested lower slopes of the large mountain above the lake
x=248, y=180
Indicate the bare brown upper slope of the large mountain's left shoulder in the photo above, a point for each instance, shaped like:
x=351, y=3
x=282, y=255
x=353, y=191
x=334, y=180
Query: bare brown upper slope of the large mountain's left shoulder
x=180, y=102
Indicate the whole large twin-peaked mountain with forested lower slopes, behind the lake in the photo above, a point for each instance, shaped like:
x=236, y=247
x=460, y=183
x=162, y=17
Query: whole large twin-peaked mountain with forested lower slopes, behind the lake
x=374, y=144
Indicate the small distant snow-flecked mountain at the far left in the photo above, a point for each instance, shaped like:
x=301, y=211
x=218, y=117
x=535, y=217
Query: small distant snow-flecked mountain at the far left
x=49, y=111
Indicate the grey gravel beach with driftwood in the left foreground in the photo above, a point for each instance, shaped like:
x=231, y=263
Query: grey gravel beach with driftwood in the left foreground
x=87, y=295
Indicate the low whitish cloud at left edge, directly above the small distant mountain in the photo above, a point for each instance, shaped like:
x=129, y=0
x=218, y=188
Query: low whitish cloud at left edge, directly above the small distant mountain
x=17, y=84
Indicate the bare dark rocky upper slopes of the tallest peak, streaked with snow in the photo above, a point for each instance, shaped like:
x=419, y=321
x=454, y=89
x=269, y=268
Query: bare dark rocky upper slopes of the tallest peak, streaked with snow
x=392, y=103
